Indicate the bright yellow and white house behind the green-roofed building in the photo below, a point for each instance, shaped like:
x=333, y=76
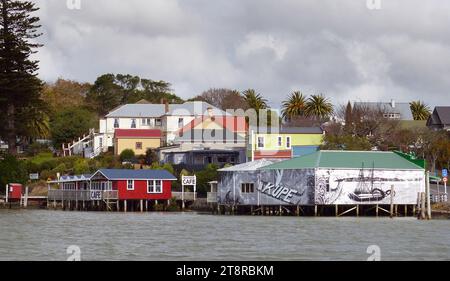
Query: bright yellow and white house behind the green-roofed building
x=286, y=142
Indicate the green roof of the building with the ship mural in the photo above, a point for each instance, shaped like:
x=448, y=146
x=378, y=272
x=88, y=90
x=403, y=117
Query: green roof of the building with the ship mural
x=347, y=160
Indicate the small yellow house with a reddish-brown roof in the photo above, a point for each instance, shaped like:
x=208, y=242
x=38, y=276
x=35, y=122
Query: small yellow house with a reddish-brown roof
x=137, y=140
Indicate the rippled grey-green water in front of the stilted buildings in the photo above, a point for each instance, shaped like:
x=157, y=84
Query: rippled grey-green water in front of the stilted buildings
x=45, y=235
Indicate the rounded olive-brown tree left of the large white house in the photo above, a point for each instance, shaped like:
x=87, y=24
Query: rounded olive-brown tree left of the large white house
x=70, y=124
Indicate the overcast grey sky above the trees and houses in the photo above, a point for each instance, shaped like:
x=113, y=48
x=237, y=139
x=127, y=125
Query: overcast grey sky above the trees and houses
x=340, y=48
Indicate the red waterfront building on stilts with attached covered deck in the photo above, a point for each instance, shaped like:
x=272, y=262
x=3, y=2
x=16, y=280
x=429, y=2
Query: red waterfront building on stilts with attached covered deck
x=113, y=188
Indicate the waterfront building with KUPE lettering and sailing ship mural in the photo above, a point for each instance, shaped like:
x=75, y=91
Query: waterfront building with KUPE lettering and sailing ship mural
x=325, y=178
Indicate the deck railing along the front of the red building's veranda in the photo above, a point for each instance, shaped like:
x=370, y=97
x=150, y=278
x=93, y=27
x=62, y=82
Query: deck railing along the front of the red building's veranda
x=81, y=195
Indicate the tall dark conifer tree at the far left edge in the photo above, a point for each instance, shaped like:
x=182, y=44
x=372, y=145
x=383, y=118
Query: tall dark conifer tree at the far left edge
x=19, y=86
